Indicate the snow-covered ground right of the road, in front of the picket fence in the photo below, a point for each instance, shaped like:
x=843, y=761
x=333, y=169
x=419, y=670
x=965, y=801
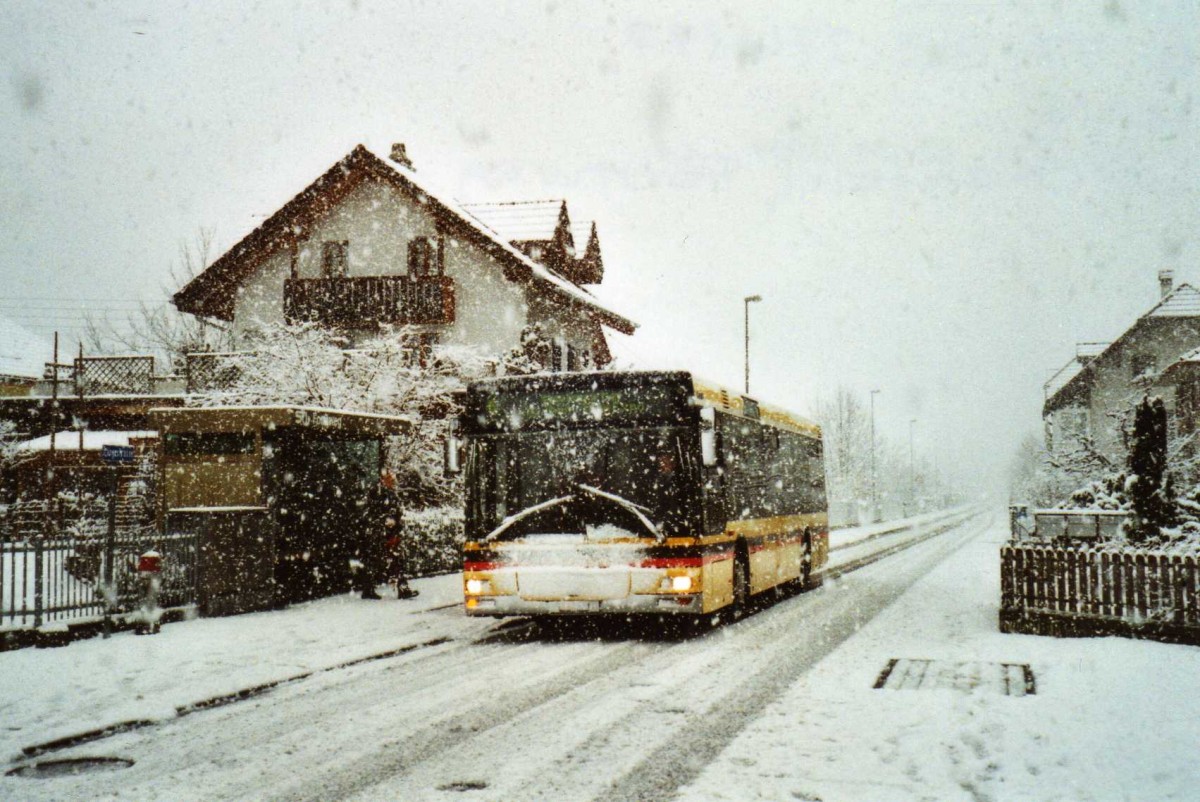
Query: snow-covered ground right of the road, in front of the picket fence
x=1111, y=720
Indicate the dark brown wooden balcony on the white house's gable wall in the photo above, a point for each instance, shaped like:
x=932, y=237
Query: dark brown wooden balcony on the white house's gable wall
x=368, y=302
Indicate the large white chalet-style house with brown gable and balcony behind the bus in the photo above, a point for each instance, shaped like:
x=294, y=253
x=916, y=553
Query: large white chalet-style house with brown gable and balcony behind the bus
x=370, y=244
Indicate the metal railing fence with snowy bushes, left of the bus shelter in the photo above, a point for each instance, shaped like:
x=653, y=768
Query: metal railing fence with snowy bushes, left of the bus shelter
x=63, y=574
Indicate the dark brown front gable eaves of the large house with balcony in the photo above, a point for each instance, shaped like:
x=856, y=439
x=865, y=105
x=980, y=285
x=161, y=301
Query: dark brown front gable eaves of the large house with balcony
x=211, y=295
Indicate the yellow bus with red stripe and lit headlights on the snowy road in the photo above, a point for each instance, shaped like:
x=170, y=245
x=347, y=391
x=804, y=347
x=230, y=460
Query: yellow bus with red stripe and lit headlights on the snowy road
x=633, y=493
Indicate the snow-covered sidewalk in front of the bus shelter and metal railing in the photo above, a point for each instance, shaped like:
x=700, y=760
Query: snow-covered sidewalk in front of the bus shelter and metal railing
x=51, y=693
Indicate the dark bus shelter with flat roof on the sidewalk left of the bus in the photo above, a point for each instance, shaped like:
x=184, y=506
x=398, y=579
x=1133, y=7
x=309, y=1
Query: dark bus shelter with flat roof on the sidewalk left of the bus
x=274, y=496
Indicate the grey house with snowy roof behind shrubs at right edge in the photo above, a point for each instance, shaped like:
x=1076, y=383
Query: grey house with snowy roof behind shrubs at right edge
x=1090, y=402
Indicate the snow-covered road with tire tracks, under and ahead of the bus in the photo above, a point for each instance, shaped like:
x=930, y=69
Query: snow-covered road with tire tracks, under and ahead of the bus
x=514, y=715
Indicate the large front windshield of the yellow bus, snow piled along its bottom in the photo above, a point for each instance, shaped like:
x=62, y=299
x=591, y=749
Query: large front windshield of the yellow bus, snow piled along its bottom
x=651, y=468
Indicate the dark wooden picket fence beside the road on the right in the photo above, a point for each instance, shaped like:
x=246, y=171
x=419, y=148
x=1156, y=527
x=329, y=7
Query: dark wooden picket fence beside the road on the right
x=1079, y=591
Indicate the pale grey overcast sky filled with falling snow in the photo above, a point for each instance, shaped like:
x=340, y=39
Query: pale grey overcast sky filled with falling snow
x=937, y=200
